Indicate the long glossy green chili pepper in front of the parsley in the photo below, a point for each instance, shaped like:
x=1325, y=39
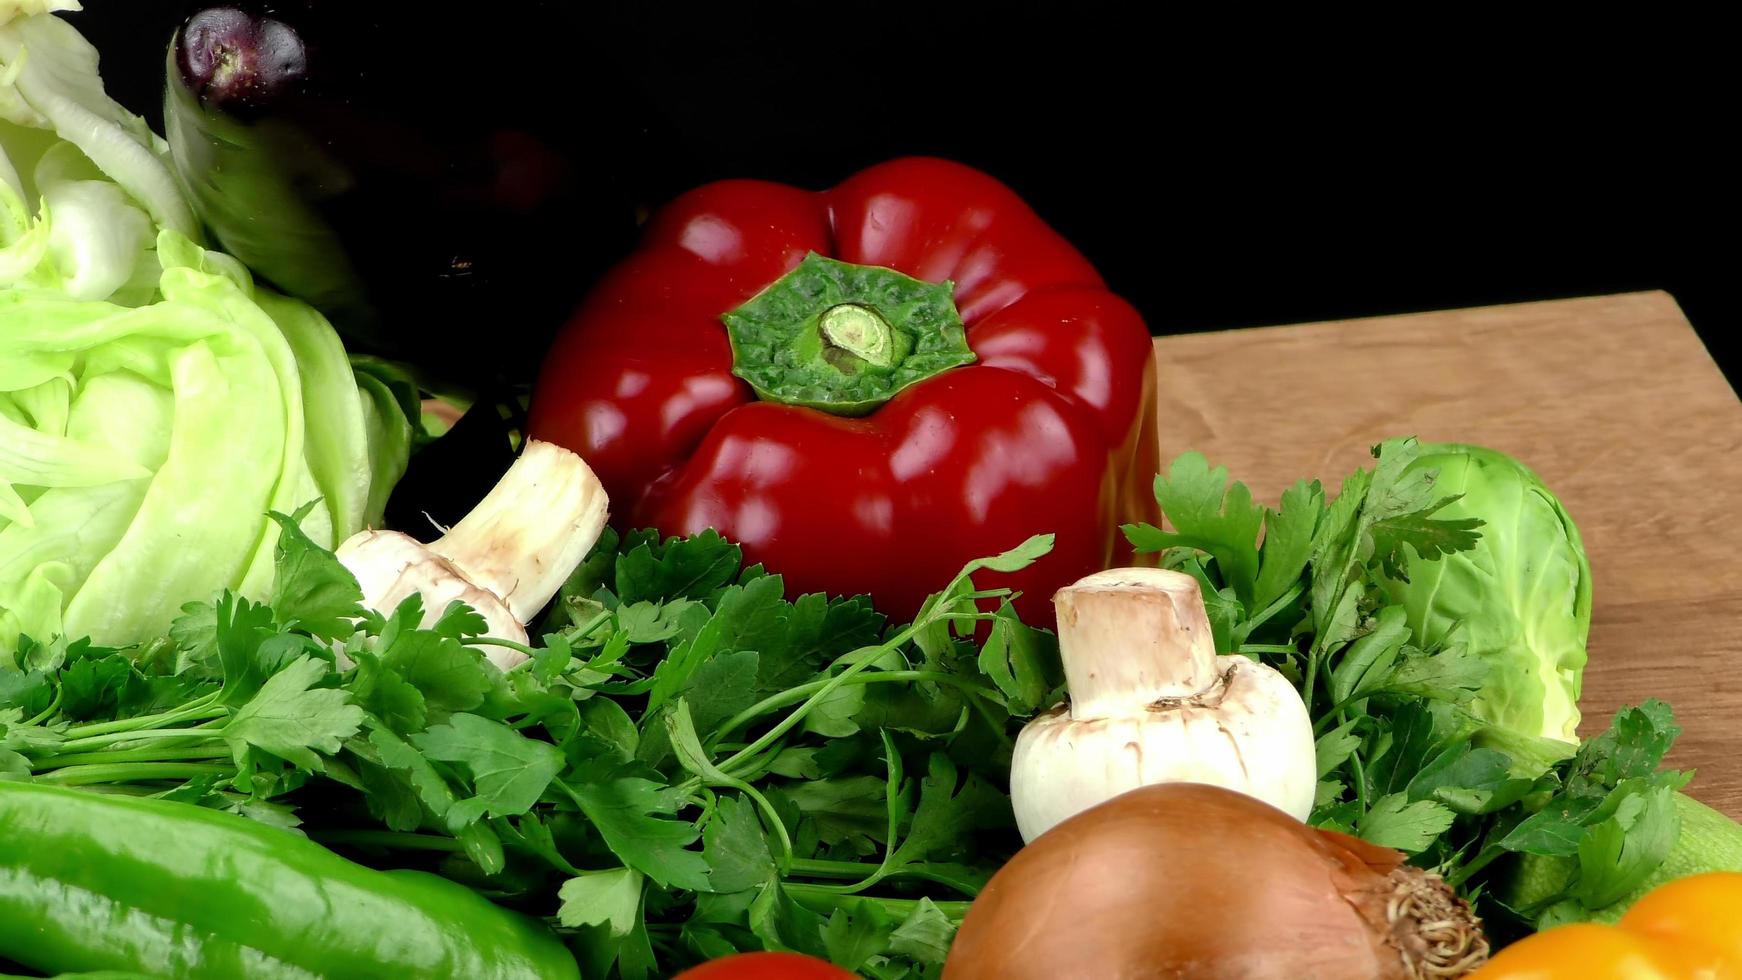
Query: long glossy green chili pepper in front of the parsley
x=166, y=889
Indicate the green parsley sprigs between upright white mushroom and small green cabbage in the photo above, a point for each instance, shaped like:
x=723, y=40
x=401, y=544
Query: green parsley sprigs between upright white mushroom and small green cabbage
x=1403, y=762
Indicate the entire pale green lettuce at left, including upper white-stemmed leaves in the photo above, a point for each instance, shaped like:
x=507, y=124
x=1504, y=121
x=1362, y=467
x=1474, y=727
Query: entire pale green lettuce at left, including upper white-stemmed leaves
x=154, y=401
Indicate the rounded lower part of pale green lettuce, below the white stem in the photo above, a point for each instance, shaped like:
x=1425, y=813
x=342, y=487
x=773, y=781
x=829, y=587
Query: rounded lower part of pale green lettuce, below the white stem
x=142, y=448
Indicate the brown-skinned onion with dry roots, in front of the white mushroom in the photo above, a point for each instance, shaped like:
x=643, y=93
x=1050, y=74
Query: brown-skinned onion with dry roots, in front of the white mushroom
x=1185, y=880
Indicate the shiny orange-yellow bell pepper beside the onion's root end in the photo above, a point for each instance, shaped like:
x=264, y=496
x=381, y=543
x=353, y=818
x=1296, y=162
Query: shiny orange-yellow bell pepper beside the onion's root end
x=1685, y=930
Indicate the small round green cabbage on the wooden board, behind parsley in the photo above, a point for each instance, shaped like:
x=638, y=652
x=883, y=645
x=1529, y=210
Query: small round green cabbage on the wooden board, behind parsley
x=1520, y=600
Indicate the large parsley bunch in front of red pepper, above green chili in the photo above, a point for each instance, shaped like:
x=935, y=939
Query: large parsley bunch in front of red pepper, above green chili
x=689, y=765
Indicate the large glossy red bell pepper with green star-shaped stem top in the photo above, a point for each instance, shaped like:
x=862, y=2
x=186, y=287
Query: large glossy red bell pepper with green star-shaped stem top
x=851, y=427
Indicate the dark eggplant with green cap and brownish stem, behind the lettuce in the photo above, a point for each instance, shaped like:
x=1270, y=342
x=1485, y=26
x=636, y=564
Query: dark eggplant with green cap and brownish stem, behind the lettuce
x=445, y=189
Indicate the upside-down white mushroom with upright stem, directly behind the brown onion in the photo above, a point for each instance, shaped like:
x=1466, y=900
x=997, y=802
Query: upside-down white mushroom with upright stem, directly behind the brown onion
x=1151, y=702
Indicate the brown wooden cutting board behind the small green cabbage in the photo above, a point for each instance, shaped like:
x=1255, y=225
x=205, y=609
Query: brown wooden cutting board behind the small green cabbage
x=1612, y=399
